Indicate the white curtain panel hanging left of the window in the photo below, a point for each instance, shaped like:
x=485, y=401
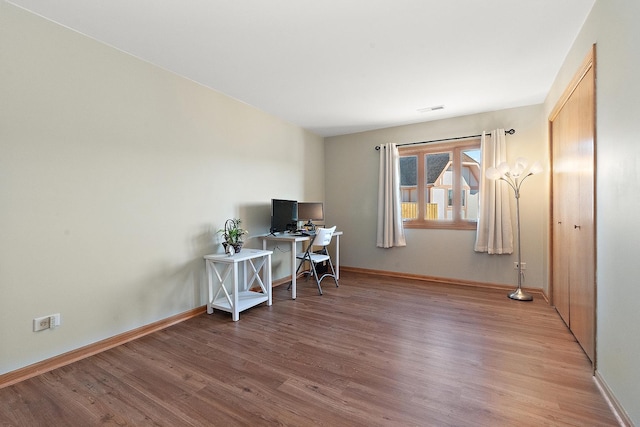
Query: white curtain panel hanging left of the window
x=390, y=229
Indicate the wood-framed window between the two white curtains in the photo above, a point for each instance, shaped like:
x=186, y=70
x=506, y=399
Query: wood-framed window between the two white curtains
x=440, y=184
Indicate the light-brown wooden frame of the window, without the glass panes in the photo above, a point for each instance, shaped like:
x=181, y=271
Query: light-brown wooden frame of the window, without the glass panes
x=456, y=148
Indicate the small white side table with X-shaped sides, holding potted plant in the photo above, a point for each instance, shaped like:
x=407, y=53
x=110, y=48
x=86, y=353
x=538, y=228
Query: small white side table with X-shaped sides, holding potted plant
x=236, y=299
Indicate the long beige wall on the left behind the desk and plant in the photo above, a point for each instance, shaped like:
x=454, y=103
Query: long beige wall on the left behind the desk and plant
x=114, y=177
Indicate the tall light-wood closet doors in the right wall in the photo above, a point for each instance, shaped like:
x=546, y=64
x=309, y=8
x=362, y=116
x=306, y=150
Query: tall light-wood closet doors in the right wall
x=572, y=128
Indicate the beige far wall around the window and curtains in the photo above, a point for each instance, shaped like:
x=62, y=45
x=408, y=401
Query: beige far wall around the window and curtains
x=352, y=179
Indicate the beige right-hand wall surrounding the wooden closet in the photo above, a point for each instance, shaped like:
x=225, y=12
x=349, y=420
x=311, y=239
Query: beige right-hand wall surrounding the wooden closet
x=613, y=26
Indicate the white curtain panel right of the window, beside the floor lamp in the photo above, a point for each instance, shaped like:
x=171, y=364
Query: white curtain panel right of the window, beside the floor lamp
x=494, y=234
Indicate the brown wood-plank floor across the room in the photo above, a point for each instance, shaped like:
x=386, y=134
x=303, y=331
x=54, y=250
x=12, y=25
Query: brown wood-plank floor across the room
x=377, y=351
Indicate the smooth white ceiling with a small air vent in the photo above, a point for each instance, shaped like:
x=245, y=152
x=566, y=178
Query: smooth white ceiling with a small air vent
x=344, y=66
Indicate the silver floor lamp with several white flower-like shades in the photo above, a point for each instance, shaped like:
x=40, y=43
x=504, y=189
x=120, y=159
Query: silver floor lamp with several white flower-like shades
x=515, y=176
